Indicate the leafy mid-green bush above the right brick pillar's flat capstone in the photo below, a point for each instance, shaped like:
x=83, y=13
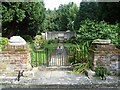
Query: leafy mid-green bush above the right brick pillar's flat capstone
x=94, y=30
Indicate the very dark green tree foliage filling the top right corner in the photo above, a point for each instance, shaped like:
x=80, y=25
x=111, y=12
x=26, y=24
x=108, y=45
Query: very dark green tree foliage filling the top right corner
x=107, y=11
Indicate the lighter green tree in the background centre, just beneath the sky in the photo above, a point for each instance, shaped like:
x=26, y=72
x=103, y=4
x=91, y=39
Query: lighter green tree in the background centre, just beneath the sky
x=66, y=19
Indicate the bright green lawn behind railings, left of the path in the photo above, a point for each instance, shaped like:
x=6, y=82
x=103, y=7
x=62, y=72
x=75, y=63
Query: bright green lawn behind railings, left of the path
x=39, y=57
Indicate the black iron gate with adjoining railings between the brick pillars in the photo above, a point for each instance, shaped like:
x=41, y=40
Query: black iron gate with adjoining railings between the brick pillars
x=52, y=56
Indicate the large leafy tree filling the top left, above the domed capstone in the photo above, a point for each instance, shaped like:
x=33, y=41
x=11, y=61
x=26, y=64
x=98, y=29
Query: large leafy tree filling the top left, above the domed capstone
x=22, y=18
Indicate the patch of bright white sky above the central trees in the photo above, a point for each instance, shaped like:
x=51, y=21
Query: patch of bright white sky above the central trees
x=51, y=4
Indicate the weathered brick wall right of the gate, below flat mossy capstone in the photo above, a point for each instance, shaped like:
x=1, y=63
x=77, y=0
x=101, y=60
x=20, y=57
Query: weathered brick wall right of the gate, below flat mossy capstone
x=108, y=56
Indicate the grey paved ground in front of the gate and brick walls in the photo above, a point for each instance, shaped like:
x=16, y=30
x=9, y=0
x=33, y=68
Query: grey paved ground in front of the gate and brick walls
x=54, y=78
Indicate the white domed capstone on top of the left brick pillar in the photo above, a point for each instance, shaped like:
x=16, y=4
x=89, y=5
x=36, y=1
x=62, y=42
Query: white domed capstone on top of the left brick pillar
x=16, y=40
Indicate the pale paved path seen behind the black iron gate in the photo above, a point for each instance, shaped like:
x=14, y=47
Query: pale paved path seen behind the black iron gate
x=58, y=57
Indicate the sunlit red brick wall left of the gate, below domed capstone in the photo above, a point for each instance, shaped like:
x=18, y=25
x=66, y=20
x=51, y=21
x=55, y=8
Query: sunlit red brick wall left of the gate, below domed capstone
x=14, y=58
